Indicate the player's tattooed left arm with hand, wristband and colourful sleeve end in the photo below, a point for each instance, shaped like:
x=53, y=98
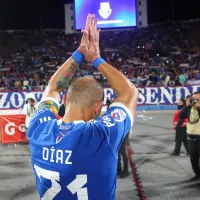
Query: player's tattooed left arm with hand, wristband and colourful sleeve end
x=62, y=77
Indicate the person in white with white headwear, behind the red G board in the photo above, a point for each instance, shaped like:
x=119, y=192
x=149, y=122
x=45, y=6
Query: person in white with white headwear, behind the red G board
x=29, y=108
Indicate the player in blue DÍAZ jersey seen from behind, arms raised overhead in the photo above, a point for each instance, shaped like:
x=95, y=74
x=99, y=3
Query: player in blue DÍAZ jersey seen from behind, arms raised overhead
x=75, y=158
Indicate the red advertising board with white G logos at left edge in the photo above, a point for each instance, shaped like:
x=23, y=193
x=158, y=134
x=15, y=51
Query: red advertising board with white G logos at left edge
x=12, y=129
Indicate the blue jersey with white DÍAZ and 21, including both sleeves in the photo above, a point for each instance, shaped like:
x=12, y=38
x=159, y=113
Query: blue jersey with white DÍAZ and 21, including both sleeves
x=77, y=160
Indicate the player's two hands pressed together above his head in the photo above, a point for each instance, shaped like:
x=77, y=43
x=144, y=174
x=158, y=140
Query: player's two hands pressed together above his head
x=89, y=46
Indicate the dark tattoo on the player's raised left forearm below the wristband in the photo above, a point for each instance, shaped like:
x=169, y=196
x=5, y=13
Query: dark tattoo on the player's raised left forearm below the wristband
x=66, y=77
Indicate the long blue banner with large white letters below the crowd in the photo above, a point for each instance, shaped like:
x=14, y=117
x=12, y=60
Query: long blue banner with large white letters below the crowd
x=150, y=98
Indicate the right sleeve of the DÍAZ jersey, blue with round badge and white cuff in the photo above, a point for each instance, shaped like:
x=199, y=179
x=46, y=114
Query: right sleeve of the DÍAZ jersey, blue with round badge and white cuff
x=116, y=122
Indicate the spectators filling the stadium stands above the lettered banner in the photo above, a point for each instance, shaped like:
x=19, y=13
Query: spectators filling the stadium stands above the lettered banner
x=160, y=55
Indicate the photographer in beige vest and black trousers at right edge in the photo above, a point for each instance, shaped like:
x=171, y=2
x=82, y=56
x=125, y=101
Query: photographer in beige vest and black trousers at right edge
x=192, y=112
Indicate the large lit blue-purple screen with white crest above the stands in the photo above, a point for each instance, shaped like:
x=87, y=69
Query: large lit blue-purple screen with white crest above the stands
x=110, y=13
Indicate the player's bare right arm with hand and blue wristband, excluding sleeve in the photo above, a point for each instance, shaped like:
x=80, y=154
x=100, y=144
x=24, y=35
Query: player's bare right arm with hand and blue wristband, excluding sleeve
x=127, y=92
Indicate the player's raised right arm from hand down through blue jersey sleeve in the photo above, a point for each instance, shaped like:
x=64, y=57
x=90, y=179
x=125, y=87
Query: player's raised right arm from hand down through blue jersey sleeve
x=118, y=120
